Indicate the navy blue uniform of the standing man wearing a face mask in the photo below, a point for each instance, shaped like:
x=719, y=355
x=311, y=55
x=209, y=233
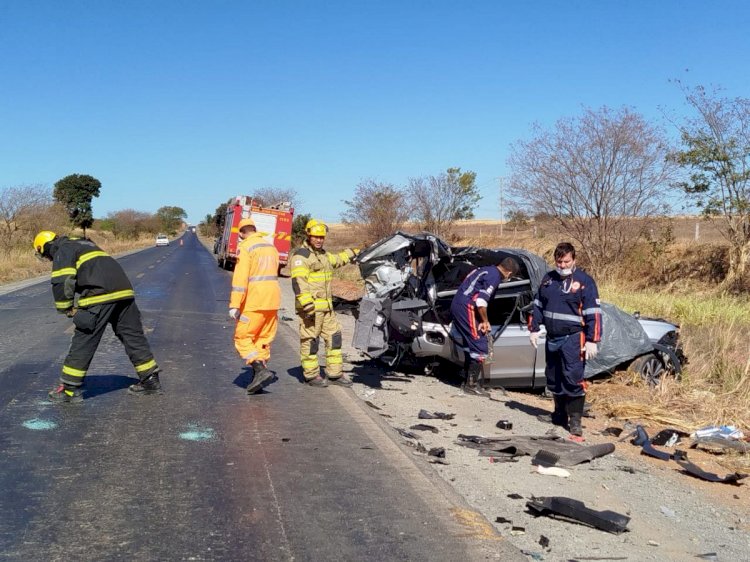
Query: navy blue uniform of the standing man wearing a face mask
x=569, y=309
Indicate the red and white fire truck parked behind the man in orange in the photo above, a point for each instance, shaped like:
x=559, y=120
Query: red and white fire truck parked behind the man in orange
x=274, y=221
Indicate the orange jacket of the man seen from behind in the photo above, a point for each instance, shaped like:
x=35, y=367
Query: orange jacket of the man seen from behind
x=255, y=284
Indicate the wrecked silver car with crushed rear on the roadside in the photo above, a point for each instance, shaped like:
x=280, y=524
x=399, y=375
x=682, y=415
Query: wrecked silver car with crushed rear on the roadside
x=404, y=316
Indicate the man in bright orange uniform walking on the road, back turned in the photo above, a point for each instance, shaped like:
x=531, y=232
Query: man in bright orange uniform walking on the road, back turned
x=254, y=302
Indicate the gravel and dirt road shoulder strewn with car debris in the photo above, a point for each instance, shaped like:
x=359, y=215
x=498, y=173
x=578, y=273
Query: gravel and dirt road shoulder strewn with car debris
x=674, y=516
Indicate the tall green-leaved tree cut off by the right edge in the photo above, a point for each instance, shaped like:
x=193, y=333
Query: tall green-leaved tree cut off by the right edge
x=716, y=153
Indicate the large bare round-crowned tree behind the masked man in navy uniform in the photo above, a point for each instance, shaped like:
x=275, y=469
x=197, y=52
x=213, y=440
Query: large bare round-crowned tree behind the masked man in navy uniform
x=600, y=177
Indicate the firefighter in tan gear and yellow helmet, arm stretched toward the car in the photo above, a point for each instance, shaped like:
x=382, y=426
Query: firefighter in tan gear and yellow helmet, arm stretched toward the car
x=312, y=270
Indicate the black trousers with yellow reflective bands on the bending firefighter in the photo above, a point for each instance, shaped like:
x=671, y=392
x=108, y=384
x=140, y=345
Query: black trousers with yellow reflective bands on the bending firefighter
x=90, y=325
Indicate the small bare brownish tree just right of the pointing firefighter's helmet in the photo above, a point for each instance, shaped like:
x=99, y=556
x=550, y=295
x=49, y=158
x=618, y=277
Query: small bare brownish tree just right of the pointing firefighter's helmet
x=376, y=210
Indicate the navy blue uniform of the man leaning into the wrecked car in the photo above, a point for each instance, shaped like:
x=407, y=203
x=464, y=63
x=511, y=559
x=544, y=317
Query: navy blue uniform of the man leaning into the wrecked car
x=476, y=290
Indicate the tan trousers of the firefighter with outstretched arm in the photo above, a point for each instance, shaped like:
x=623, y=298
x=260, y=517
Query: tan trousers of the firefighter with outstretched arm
x=323, y=325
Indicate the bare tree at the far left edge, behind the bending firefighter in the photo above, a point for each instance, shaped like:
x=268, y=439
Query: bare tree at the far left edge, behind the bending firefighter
x=20, y=207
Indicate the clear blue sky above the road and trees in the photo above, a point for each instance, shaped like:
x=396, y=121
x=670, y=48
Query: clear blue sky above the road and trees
x=189, y=103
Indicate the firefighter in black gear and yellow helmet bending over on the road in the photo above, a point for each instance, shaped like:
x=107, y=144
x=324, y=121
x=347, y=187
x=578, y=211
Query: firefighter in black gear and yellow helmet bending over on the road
x=105, y=296
